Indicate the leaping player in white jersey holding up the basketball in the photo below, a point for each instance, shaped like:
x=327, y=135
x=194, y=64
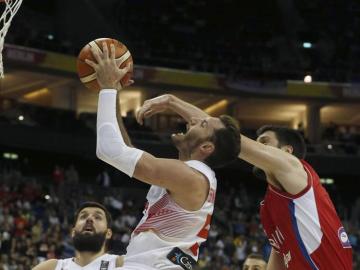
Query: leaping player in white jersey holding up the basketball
x=181, y=198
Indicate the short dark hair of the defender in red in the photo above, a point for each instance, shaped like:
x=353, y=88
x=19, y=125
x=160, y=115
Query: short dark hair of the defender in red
x=287, y=136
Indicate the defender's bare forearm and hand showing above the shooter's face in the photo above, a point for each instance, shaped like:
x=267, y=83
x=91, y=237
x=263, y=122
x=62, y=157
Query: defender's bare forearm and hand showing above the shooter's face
x=169, y=102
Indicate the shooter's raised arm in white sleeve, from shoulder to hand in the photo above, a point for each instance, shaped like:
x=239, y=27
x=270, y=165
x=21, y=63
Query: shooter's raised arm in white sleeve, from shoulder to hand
x=174, y=175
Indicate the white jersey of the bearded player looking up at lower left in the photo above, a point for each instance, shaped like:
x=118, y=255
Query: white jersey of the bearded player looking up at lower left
x=104, y=262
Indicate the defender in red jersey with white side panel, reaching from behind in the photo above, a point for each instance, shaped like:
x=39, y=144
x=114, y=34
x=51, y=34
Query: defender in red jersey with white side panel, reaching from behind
x=297, y=214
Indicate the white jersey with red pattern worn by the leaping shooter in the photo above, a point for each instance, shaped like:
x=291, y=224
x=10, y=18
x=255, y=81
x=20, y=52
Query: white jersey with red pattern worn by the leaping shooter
x=168, y=233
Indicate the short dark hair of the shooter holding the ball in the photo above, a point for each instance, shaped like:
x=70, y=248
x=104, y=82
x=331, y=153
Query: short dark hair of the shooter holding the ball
x=227, y=143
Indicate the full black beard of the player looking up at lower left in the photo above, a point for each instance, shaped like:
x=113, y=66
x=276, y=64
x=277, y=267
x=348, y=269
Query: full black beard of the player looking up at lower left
x=89, y=242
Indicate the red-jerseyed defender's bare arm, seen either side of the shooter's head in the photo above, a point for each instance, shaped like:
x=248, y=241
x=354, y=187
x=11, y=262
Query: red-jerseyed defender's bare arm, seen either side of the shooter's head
x=282, y=166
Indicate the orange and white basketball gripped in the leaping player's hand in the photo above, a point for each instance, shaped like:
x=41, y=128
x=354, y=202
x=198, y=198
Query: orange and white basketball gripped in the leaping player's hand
x=87, y=74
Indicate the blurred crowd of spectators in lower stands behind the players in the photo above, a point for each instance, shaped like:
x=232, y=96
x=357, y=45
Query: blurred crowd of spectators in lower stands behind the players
x=36, y=218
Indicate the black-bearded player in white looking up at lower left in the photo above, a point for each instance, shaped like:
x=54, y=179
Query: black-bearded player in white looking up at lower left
x=90, y=235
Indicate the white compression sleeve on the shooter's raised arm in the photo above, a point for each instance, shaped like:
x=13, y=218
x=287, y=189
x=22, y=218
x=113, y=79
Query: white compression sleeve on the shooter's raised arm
x=110, y=145
